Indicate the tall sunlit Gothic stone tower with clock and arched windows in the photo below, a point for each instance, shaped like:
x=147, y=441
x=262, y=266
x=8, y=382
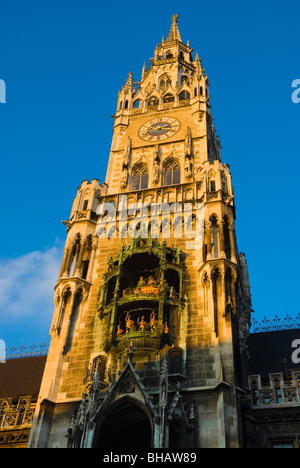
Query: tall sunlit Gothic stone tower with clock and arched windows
x=152, y=304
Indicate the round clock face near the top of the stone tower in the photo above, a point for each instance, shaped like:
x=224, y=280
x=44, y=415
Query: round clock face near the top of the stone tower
x=159, y=129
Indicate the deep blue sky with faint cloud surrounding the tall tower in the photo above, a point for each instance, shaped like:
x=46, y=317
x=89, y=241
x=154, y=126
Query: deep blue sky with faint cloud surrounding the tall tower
x=64, y=62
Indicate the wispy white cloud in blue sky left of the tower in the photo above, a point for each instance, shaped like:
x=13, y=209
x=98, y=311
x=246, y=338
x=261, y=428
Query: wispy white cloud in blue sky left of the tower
x=27, y=286
